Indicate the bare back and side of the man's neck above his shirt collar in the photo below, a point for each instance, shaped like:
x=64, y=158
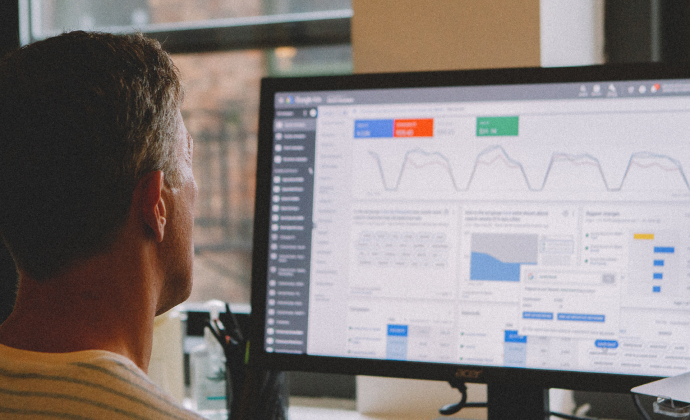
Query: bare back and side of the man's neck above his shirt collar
x=106, y=303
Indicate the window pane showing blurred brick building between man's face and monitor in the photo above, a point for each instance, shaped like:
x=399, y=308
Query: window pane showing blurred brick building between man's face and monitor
x=221, y=113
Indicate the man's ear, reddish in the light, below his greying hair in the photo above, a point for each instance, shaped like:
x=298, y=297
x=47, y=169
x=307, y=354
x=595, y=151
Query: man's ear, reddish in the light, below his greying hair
x=150, y=191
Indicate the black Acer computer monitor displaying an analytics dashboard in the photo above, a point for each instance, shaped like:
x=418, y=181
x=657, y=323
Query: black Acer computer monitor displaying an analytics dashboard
x=518, y=227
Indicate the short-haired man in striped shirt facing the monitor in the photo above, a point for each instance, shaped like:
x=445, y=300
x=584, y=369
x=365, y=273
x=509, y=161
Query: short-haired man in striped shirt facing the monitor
x=96, y=207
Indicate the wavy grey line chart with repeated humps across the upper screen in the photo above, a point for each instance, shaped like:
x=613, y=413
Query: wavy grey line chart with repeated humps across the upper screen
x=497, y=154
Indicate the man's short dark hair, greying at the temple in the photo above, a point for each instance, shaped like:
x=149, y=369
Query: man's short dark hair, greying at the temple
x=83, y=118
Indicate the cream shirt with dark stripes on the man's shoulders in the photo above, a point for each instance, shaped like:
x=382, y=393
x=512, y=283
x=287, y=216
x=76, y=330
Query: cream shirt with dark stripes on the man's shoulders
x=84, y=385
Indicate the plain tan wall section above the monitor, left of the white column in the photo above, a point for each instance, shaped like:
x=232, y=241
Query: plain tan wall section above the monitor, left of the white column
x=413, y=35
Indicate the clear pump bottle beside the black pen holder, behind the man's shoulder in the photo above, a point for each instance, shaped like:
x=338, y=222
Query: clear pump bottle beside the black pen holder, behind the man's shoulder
x=207, y=374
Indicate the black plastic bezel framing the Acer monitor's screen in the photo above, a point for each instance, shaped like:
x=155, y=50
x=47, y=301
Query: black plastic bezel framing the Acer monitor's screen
x=603, y=382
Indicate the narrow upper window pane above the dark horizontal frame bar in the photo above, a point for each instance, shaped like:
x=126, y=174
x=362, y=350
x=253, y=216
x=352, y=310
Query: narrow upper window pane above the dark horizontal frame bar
x=54, y=16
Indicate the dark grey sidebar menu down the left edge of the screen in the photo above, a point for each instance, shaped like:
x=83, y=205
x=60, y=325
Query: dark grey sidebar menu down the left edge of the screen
x=287, y=297
